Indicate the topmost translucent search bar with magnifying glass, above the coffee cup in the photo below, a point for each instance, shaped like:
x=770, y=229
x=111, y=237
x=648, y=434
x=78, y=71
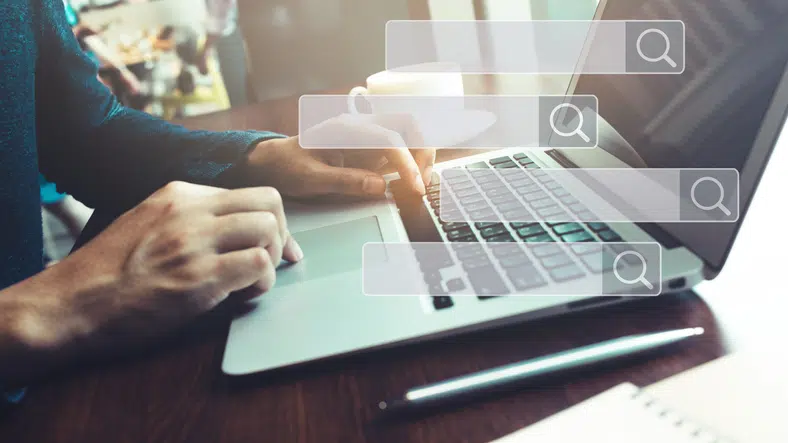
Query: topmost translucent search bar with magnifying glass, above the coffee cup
x=538, y=46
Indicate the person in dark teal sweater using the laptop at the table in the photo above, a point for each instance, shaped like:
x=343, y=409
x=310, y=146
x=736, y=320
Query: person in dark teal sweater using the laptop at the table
x=184, y=242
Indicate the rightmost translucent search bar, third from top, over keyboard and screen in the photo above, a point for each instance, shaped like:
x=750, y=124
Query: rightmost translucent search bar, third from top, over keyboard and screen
x=521, y=193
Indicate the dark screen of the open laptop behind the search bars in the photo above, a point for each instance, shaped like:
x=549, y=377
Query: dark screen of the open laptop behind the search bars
x=710, y=115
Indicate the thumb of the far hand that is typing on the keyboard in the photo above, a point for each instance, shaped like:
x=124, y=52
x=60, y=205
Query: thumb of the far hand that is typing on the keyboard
x=347, y=181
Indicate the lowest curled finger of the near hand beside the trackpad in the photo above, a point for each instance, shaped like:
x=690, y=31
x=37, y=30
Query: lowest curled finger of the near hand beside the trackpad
x=241, y=269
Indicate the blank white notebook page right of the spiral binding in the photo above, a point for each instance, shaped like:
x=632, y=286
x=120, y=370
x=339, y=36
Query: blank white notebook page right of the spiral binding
x=744, y=396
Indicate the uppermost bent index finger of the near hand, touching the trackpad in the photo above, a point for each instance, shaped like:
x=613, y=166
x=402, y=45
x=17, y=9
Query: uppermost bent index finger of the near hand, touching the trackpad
x=261, y=199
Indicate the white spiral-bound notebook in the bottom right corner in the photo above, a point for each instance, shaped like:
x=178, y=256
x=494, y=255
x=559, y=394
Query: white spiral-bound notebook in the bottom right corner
x=735, y=399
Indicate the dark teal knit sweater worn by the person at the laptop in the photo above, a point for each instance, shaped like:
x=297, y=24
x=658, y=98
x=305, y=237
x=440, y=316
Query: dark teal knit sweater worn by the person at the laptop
x=56, y=117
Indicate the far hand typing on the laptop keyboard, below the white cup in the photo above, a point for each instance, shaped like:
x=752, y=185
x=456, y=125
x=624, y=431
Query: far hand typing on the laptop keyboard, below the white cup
x=304, y=173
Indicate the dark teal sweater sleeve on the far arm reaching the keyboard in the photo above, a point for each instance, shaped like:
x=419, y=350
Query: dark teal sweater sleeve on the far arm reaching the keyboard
x=104, y=154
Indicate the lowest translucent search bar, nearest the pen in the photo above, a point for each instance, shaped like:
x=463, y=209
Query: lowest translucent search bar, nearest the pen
x=511, y=269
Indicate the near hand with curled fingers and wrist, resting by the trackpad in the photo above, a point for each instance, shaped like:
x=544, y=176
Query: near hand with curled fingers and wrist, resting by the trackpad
x=178, y=254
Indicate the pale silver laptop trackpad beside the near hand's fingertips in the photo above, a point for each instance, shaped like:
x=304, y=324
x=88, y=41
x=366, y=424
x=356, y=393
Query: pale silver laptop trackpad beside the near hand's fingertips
x=330, y=250
